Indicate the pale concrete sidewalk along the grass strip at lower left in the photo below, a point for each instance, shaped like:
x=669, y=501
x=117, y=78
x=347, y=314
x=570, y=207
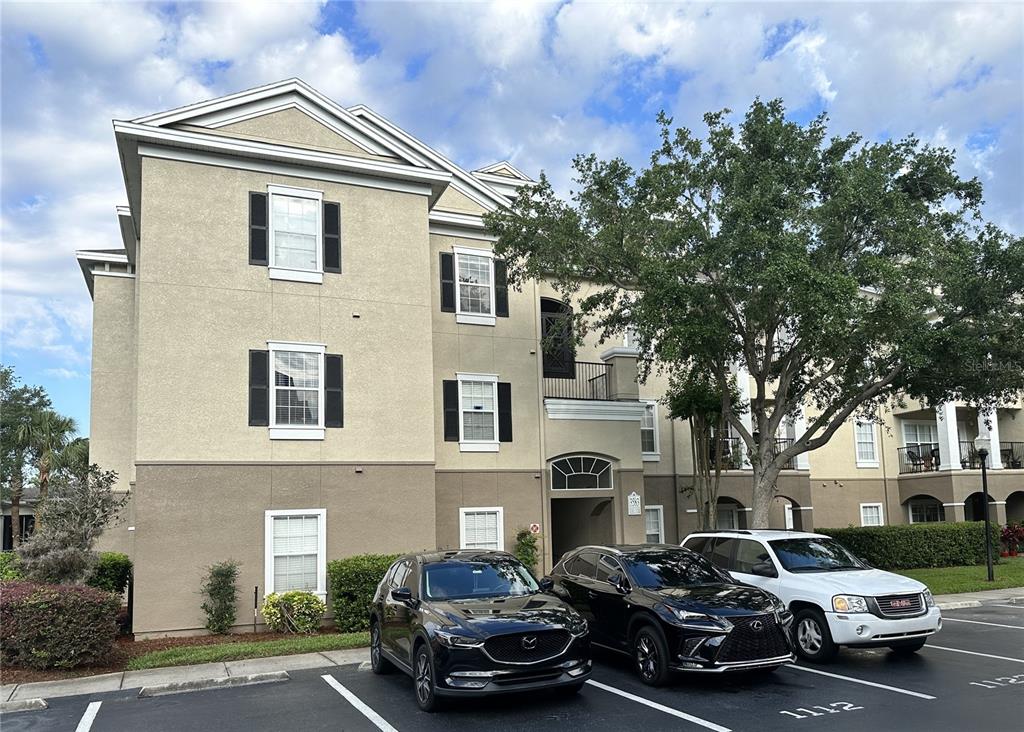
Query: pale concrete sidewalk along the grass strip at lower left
x=182, y=678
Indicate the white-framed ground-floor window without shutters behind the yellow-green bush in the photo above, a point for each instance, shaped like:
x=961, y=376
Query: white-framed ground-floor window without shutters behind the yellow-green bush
x=296, y=551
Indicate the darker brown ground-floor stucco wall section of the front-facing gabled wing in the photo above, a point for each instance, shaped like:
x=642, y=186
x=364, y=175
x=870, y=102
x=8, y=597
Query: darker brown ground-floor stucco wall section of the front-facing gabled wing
x=192, y=516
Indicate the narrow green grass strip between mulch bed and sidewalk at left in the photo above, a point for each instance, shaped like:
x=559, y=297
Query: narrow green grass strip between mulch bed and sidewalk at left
x=188, y=656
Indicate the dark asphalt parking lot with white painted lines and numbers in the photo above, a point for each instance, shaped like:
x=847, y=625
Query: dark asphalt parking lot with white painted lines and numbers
x=970, y=677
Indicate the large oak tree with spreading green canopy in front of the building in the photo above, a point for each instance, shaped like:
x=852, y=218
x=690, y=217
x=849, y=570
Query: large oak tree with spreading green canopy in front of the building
x=842, y=274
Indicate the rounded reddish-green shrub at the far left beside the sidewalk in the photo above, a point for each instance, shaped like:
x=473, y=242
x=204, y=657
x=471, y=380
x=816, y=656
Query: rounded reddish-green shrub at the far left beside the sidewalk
x=56, y=626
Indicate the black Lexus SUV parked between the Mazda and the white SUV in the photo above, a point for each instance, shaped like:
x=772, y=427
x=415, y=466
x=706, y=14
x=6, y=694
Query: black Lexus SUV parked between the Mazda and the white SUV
x=672, y=610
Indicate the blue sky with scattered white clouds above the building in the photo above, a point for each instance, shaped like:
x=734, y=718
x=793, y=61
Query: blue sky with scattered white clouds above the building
x=534, y=83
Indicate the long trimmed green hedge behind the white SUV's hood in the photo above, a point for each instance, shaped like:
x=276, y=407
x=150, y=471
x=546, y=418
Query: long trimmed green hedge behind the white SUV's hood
x=918, y=545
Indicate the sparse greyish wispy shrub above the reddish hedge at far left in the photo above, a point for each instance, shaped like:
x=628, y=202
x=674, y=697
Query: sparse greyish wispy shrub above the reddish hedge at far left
x=72, y=519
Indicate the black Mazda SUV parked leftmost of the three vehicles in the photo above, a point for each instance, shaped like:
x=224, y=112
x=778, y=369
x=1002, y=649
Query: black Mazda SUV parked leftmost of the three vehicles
x=475, y=623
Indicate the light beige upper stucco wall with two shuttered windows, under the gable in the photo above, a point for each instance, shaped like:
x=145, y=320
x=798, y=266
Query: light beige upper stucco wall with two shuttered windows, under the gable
x=203, y=308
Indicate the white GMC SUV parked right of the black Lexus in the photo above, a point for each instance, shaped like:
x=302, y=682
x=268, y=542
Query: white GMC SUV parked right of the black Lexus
x=837, y=599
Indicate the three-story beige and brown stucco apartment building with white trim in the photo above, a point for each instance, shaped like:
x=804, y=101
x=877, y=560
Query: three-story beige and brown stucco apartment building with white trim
x=306, y=350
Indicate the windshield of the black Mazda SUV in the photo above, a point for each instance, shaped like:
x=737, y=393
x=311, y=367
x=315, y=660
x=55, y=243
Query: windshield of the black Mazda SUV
x=480, y=579
